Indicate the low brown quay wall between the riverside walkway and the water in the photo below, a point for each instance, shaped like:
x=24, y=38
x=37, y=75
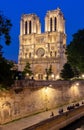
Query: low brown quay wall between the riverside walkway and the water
x=59, y=121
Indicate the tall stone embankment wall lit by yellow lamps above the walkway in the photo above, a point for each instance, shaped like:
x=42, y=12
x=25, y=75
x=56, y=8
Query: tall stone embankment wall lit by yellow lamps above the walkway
x=30, y=97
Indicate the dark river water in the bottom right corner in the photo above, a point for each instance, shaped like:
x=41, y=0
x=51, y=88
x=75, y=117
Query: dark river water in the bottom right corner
x=77, y=125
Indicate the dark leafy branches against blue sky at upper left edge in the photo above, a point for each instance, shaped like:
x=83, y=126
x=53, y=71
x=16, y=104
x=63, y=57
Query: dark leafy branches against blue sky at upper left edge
x=5, y=27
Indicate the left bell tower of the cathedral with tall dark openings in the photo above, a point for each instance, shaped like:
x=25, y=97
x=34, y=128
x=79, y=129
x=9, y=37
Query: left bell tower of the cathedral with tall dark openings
x=29, y=24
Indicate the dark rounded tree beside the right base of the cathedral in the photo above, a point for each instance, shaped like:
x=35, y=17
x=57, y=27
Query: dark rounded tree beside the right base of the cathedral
x=67, y=72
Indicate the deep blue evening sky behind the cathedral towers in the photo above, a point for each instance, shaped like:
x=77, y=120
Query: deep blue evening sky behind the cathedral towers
x=73, y=11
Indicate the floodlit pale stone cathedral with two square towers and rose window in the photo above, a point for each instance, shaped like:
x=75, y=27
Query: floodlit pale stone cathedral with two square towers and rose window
x=42, y=50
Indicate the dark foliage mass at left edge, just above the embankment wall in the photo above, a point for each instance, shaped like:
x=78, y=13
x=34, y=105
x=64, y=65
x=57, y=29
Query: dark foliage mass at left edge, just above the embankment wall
x=6, y=73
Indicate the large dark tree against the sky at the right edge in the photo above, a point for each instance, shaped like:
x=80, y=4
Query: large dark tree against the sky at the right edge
x=75, y=51
